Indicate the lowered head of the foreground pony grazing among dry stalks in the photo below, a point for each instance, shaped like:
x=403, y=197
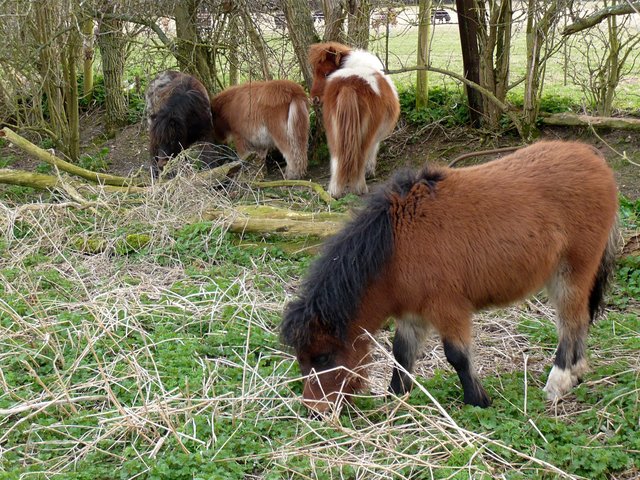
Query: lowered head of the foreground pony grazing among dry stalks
x=333, y=366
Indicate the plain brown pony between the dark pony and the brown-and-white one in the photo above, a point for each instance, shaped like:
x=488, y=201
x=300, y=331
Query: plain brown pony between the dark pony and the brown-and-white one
x=259, y=116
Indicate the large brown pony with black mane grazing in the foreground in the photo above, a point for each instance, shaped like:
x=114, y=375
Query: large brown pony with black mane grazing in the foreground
x=431, y=248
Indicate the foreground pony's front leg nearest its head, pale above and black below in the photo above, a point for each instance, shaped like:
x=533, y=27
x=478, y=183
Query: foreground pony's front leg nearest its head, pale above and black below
x=410, y=333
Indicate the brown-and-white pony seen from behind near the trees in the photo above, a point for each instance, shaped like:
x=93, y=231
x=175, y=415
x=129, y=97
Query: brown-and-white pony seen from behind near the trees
x=360, y=108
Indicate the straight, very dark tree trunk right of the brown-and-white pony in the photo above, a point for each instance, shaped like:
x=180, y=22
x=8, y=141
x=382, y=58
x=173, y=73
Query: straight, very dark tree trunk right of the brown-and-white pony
x=468, y=26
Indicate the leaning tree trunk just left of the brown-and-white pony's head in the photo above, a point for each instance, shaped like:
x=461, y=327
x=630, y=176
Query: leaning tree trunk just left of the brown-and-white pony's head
x=301, y=33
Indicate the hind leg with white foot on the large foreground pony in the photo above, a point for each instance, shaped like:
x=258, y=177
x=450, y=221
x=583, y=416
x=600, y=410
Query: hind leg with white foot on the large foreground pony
x=572, y=321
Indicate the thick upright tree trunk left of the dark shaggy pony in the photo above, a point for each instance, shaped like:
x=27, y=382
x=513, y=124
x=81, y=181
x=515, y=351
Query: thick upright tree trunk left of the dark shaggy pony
x=112, y=44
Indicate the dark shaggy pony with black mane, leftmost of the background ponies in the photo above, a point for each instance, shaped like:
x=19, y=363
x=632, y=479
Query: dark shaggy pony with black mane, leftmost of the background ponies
x=178, y=115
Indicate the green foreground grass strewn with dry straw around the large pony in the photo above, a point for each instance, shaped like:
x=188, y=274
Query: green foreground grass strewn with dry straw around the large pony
x=160, y=359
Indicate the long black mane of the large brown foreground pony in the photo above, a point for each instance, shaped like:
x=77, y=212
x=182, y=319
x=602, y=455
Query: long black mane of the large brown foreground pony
x=333, y=288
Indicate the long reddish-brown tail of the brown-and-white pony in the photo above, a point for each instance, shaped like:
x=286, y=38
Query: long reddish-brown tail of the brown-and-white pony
x=347, y=117
